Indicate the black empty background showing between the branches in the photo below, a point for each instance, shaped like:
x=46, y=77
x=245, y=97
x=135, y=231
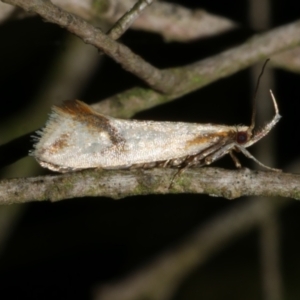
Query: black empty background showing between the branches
x=64, y=250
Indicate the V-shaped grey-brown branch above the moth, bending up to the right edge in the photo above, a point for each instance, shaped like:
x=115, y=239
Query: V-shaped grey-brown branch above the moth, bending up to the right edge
x=175, y=81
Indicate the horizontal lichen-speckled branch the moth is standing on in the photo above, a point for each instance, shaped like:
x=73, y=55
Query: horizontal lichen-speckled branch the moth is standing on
x=118, y=184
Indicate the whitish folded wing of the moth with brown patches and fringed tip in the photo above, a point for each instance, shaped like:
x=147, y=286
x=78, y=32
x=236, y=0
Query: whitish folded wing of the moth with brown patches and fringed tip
x=76, y=137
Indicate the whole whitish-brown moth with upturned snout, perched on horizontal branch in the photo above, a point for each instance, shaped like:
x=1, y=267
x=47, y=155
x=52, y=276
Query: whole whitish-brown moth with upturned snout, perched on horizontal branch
x=77, y=137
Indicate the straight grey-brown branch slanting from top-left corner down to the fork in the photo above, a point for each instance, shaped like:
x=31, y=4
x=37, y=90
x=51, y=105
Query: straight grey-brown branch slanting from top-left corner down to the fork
x=94, y=36
